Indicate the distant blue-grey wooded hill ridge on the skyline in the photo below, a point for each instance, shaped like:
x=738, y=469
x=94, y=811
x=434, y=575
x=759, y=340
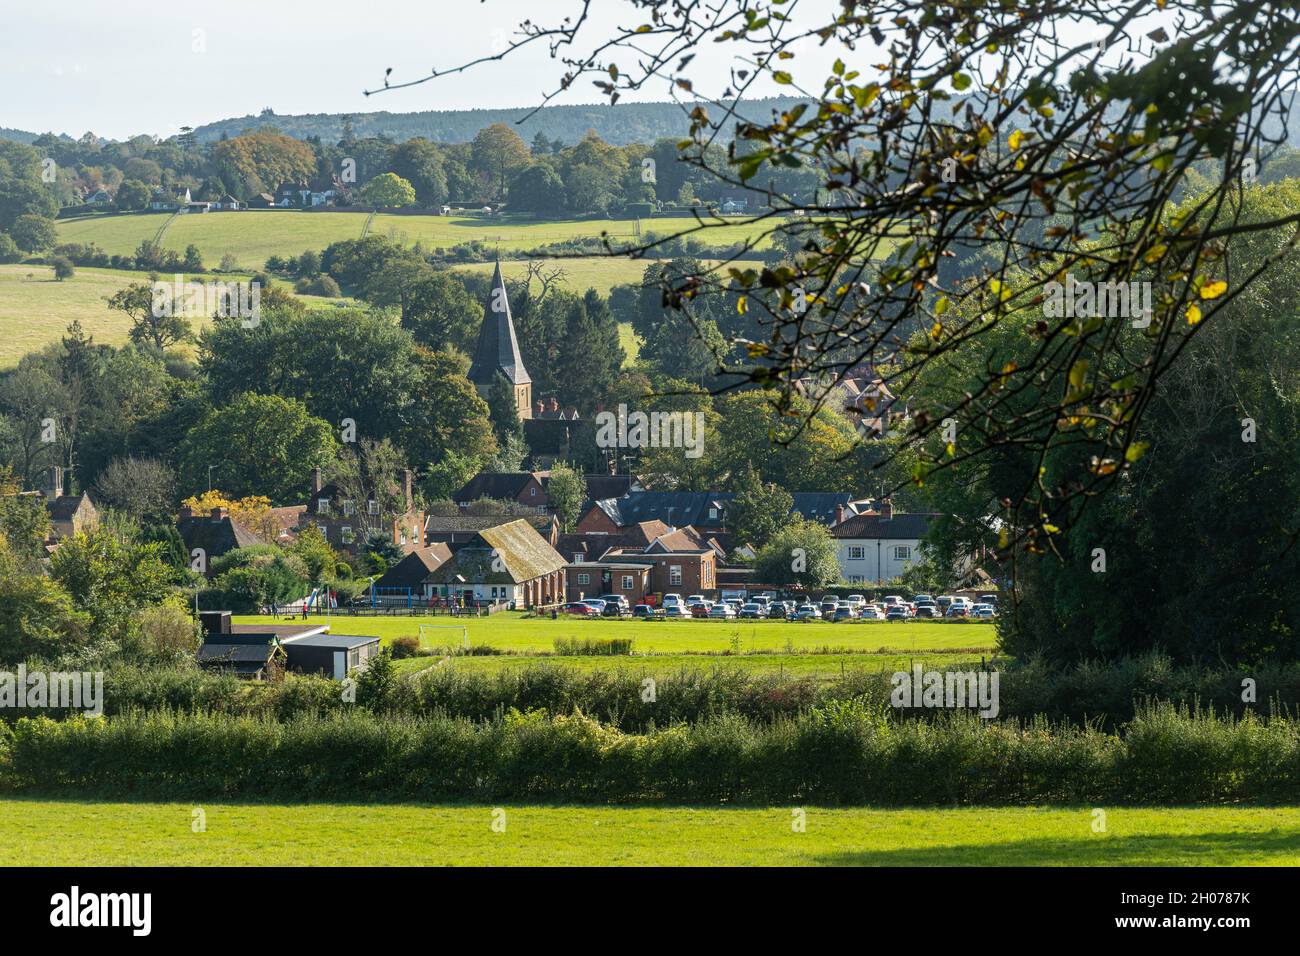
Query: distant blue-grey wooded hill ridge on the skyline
x=622, y=124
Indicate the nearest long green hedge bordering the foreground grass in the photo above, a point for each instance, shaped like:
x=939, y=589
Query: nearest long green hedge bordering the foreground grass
x=848, y=754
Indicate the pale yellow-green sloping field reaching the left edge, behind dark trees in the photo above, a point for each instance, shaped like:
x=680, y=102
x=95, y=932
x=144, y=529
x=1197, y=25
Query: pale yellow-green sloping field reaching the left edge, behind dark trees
x=37, y=310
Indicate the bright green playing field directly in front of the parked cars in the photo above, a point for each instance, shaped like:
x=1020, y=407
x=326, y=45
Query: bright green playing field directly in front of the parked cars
x=514, y=631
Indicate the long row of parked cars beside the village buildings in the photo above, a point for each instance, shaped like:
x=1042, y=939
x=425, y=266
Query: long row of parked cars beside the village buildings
x=768, y=607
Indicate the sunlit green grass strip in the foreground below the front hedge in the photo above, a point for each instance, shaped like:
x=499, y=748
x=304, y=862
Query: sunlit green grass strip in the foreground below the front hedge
x=128, y=834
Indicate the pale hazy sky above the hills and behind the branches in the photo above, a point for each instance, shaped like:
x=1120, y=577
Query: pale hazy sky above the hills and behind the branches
x=132, y=67
